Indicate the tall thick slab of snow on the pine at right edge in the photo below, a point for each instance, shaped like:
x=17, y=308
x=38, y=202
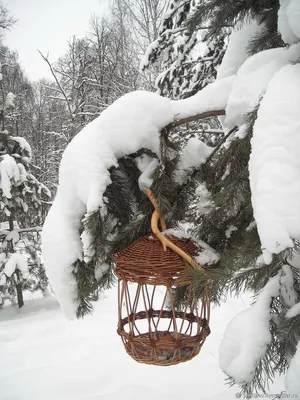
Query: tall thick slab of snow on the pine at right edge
x=274, y=165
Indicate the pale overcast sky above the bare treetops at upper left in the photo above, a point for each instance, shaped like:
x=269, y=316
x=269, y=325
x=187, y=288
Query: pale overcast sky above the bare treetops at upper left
x=47, y=25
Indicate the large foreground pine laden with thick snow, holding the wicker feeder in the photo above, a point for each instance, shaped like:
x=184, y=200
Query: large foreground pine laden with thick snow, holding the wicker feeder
x=247, y=211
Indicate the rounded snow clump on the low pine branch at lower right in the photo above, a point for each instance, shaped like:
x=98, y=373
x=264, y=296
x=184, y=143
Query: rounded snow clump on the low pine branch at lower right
x=247, y=336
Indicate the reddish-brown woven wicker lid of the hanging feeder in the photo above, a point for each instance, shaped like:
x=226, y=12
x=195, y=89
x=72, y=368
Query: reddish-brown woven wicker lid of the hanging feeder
x=145, y=261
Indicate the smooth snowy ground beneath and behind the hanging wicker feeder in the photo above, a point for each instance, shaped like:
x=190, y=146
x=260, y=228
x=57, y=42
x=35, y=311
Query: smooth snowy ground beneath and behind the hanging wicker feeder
x=43, y=356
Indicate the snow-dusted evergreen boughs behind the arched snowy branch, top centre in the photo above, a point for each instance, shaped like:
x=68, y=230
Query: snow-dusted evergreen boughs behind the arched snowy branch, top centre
x=186, y=66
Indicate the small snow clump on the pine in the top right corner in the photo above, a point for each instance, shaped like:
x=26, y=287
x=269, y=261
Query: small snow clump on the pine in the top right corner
x=284, y=27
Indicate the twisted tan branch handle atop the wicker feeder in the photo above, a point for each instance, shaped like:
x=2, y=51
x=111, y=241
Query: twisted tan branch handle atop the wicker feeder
x=156, y=216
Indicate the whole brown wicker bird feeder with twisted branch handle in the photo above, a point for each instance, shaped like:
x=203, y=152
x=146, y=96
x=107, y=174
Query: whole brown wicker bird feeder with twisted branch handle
x=153, y=330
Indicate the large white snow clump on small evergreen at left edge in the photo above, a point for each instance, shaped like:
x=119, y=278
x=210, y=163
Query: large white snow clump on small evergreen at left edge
x=9, y=174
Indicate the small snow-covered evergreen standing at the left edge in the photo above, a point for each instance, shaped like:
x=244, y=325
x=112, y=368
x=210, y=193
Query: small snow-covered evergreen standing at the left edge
x=22, y=206
